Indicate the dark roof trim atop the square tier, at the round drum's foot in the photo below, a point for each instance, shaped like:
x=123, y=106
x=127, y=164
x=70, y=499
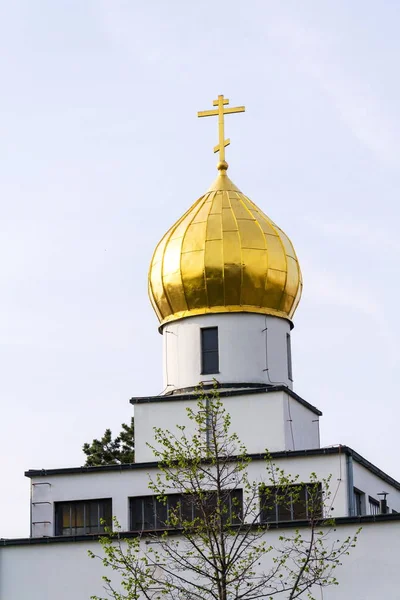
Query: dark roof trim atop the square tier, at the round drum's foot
x=235, y=389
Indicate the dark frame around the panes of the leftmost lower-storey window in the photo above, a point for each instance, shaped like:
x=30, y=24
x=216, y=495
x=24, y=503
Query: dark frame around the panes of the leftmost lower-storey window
x=104, y=506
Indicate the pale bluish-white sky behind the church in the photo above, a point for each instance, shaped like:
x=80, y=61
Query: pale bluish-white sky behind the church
x=101, y=151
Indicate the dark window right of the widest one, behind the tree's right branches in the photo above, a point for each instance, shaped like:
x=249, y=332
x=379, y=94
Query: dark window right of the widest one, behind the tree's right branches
x=291, y=503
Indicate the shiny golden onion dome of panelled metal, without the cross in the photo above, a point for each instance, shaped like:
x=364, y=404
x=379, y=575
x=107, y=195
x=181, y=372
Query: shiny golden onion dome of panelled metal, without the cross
x=224, y=255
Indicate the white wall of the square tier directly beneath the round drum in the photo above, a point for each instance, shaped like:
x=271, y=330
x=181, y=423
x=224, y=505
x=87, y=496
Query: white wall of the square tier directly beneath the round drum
x=260, y=420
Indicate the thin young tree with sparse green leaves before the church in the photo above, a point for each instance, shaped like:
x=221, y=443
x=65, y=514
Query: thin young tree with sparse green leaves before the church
x=212, y=541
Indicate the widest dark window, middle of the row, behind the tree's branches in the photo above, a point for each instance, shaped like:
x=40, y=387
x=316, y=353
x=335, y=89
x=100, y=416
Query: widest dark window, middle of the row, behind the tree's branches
x=150, y=513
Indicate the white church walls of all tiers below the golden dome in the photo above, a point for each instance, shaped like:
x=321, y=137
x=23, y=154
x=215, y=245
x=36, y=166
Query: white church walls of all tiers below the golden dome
x=255, y=380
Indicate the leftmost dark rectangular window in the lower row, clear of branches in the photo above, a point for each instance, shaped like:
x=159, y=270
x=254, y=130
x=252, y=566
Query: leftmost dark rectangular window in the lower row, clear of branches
x=82, y=517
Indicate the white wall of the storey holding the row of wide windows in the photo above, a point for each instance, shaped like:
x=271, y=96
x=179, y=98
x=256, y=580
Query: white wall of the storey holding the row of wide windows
x=122, y=483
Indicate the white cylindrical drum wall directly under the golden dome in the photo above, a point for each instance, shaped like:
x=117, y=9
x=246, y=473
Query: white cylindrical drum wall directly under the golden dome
x=252, y=349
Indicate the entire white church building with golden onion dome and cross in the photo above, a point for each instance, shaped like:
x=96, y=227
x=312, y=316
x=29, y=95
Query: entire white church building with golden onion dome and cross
x=224, y=282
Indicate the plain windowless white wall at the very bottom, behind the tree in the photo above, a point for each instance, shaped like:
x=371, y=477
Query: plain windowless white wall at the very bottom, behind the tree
x=64, y=571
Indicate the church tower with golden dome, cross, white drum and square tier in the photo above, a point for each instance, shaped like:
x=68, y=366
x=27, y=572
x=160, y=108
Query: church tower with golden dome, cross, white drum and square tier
x=225, y=282
